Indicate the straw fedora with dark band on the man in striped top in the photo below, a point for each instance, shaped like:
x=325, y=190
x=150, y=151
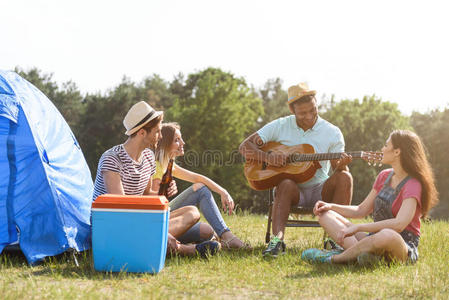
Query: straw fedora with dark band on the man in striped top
x=138, y=116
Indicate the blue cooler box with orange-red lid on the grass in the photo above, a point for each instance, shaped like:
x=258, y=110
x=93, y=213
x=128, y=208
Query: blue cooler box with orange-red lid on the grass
x=129, y=233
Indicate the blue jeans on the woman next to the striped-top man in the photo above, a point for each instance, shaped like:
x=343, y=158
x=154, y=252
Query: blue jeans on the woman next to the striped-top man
x=203, y=199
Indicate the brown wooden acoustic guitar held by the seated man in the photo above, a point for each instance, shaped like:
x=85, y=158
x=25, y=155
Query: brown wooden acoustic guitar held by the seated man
x=302, y=163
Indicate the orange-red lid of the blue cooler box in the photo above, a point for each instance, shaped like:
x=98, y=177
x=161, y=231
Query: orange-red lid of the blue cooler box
x=111, y=201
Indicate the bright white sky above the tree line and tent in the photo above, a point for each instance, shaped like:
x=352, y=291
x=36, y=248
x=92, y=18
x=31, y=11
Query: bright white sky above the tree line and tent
x=397, y=50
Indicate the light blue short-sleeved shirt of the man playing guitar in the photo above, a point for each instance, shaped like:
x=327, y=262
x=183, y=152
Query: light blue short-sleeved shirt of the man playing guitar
x=323, y=136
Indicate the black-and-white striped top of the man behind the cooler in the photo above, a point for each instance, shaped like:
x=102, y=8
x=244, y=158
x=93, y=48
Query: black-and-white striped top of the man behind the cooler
x=134, y=175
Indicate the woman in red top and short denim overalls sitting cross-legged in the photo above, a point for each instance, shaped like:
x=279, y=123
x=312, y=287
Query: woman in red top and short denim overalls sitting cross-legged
x=399, y=198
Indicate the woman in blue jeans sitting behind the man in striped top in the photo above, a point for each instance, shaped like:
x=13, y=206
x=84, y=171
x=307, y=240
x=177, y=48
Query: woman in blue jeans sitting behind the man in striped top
x=198, y=194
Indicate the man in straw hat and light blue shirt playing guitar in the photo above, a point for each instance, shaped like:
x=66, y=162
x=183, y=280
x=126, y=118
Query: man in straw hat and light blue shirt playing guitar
x=303, y=127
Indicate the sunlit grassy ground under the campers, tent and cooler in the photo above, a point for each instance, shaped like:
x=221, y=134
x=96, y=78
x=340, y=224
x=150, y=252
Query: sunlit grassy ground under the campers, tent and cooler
x=239, y=274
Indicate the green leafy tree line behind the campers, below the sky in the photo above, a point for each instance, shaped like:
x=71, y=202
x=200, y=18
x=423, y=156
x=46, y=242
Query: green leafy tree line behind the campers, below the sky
x=217, y=110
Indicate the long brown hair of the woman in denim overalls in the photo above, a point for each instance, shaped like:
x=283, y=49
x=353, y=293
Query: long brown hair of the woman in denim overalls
x=414, y=162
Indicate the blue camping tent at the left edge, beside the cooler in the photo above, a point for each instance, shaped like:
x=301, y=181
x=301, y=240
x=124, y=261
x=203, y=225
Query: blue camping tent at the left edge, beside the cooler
x=45, y=183
